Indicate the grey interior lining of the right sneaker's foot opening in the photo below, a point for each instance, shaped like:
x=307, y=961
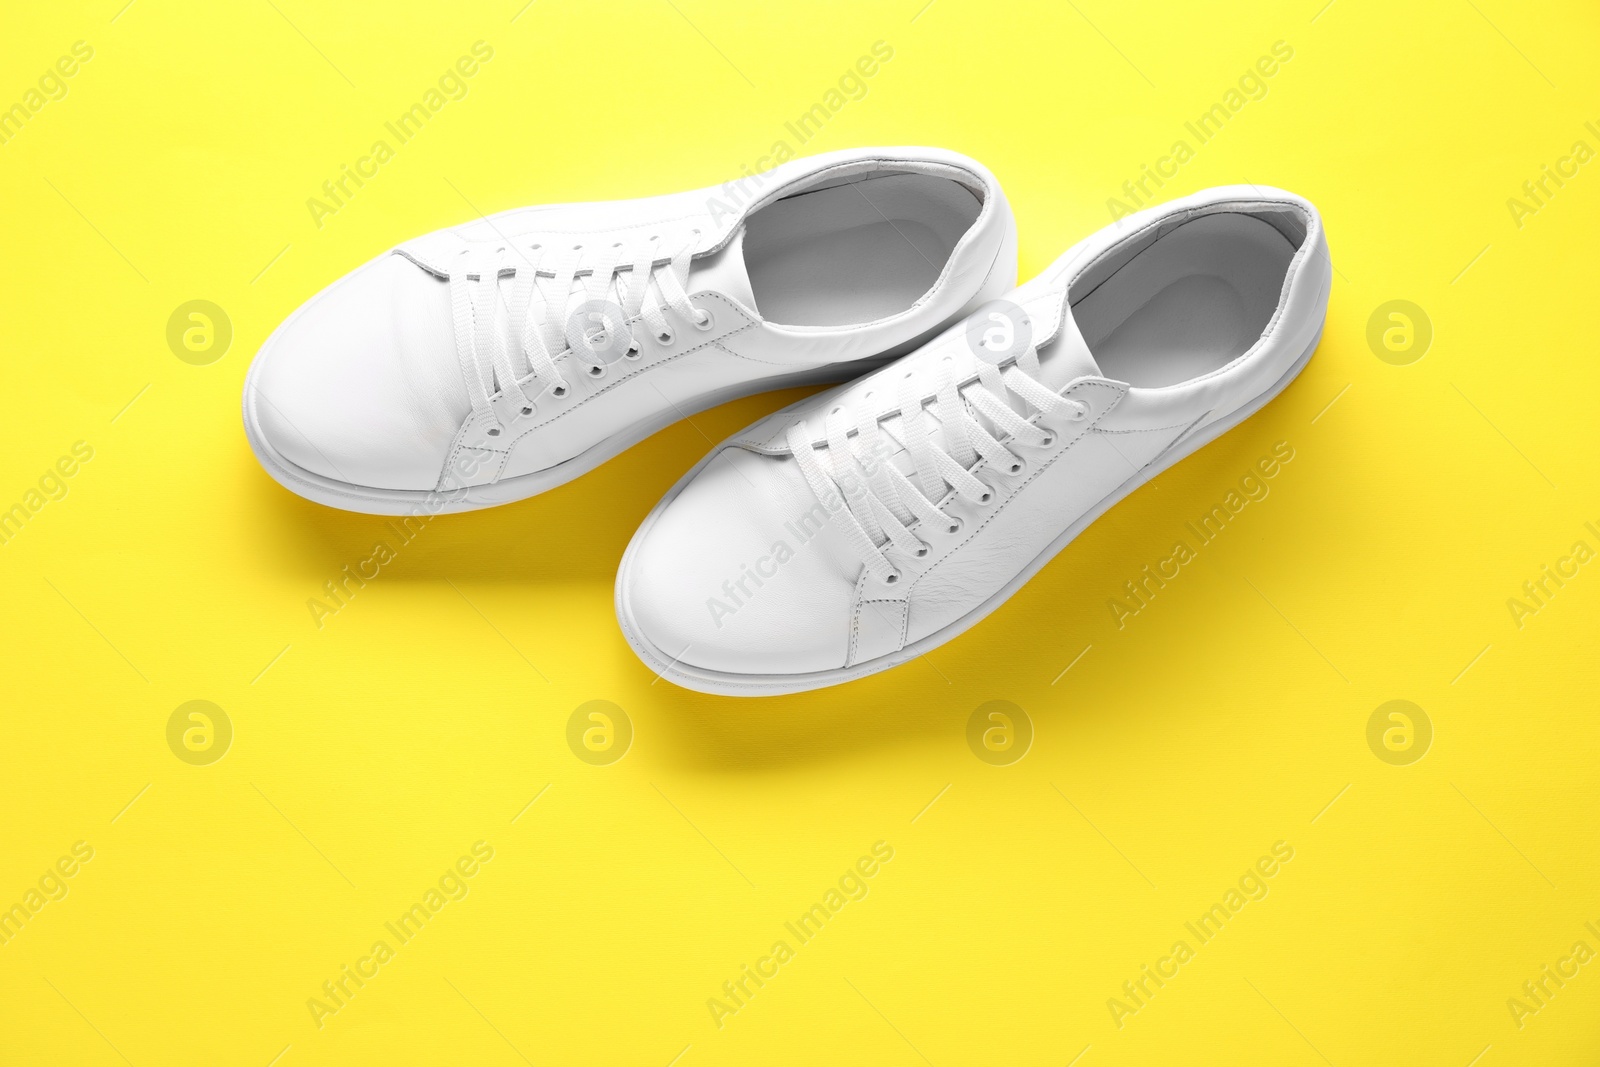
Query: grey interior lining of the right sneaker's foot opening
x=1190, y=298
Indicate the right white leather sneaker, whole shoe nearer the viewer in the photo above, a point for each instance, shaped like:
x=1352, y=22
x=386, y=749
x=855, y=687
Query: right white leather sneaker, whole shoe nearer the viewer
x=870, y=524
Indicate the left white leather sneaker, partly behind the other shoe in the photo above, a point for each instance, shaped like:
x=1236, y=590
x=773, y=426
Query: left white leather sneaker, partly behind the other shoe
x=494, y=361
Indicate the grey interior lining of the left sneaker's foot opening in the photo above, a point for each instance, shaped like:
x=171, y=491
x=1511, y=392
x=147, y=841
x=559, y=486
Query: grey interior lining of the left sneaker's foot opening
x=855, y=252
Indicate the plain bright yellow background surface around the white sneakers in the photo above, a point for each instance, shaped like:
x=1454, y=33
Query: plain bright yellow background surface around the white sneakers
x=426, y=714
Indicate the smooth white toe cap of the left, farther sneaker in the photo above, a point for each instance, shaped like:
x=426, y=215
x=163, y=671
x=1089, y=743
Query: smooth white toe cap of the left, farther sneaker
x=362, y=385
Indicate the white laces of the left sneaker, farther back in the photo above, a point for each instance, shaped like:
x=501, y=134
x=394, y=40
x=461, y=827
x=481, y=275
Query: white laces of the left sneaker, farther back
x=657, y=273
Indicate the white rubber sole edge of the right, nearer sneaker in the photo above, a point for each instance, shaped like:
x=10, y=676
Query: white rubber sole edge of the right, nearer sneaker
x=726, y=684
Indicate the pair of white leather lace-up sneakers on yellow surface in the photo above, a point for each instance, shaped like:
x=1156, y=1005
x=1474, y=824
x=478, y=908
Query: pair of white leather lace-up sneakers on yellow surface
x=980, y=430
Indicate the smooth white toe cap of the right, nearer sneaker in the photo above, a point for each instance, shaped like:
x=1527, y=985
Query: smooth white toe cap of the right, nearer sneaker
x=743, y=573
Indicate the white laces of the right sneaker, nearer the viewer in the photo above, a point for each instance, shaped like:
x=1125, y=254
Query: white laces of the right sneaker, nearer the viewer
x=881, y=505
